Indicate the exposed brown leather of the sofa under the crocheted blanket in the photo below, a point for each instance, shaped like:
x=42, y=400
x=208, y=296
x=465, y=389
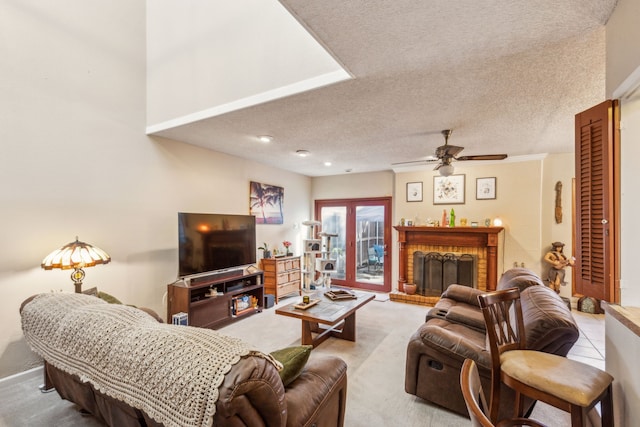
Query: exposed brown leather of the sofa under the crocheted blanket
x=251, y=394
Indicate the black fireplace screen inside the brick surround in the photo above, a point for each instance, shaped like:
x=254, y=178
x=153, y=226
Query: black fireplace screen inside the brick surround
x=433, y=272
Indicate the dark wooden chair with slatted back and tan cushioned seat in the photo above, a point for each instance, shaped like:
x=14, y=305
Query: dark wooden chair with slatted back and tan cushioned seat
x=568, y=385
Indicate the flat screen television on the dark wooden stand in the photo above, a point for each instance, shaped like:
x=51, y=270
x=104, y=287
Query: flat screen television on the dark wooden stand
x=213, y=242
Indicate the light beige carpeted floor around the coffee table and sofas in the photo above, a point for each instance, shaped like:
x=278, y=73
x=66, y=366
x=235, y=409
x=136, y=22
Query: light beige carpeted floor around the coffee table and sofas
x=376, y=361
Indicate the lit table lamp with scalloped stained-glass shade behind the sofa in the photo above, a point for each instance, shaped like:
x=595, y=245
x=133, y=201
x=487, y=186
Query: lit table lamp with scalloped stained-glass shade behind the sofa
x=76, y=255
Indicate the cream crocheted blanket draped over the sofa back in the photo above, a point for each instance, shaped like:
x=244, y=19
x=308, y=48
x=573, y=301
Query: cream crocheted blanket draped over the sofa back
x=170, y=372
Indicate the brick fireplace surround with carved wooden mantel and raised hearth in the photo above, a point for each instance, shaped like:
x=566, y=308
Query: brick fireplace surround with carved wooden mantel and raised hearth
x=480, y=242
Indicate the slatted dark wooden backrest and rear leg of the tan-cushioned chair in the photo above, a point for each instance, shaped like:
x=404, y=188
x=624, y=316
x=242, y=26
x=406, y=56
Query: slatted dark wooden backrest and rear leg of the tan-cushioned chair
x=502, y=313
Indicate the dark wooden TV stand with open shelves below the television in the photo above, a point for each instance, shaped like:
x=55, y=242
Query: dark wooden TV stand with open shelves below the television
x=234, y=290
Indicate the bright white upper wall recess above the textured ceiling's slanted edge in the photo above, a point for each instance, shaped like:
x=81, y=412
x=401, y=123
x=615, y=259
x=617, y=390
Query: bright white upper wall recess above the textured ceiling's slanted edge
x=211, y=57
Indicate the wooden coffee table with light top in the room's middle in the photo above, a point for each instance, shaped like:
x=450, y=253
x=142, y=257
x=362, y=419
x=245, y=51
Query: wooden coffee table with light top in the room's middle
x=339, y=316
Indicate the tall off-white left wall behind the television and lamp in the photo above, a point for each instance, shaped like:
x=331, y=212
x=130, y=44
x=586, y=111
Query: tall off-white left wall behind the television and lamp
x=75, y=161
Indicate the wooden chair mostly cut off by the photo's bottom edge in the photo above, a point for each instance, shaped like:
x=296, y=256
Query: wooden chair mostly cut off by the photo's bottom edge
x=476, y=402
